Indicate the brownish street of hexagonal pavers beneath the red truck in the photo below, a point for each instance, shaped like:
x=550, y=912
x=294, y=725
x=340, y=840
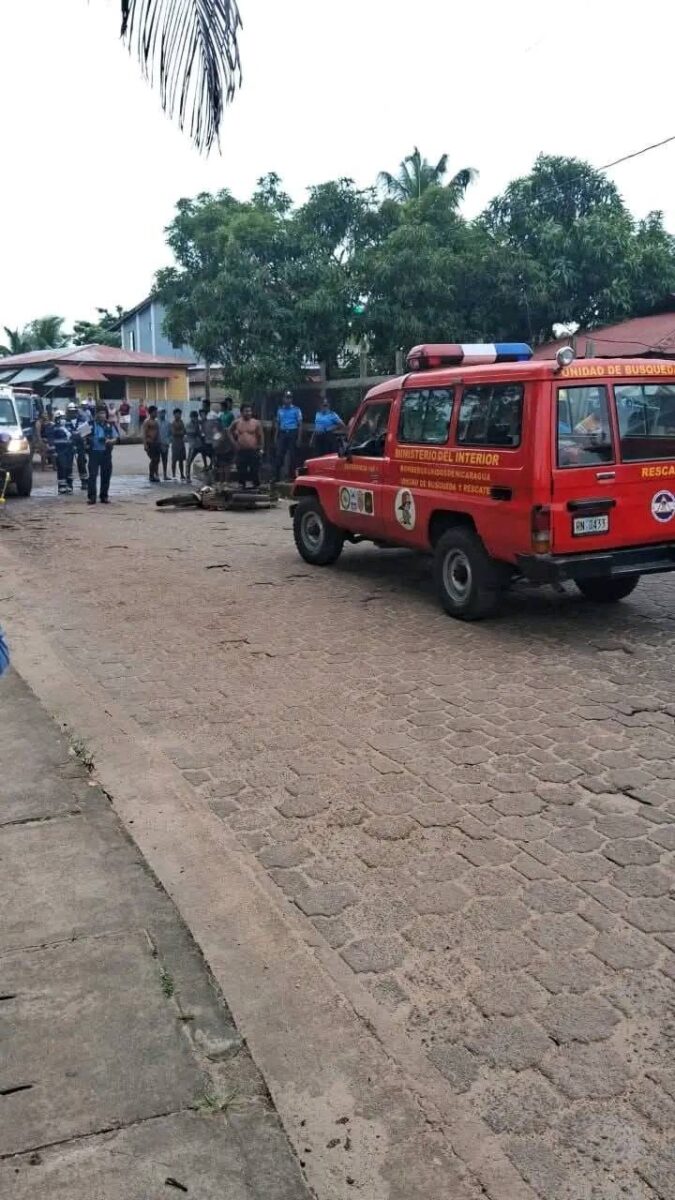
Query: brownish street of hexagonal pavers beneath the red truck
x=477, y=820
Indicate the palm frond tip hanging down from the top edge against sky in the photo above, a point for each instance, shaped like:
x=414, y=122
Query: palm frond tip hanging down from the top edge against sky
x=190, y=49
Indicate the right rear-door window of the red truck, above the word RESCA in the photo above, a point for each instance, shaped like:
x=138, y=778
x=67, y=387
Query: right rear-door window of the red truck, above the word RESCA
x=647, y=421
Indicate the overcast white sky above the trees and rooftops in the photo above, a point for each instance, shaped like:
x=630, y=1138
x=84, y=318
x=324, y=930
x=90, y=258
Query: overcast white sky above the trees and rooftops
x=91, y=169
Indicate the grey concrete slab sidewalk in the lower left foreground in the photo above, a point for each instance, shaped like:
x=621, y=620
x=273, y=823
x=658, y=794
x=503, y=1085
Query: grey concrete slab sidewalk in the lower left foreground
x=122, y=1073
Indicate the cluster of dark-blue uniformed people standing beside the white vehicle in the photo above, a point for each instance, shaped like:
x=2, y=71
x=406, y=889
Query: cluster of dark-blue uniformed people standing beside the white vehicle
x=86, y=436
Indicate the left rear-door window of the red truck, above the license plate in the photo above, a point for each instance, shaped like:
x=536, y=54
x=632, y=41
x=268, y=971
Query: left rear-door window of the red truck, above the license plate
x=584, y=434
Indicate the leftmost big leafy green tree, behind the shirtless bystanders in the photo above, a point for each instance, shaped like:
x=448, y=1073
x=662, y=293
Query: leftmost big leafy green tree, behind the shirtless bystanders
x=259, y=287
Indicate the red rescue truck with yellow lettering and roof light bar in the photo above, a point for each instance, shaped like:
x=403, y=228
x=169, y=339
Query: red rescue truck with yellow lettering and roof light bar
x=505, y=467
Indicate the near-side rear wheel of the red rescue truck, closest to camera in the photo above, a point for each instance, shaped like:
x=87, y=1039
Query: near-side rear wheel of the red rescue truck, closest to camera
x=467, y=579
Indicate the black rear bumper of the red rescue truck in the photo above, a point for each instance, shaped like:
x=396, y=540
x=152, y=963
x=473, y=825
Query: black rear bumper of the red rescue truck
x=652, y=560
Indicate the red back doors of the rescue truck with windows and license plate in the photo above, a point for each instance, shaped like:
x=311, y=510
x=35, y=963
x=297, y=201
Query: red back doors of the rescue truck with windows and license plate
x=614, y=466
